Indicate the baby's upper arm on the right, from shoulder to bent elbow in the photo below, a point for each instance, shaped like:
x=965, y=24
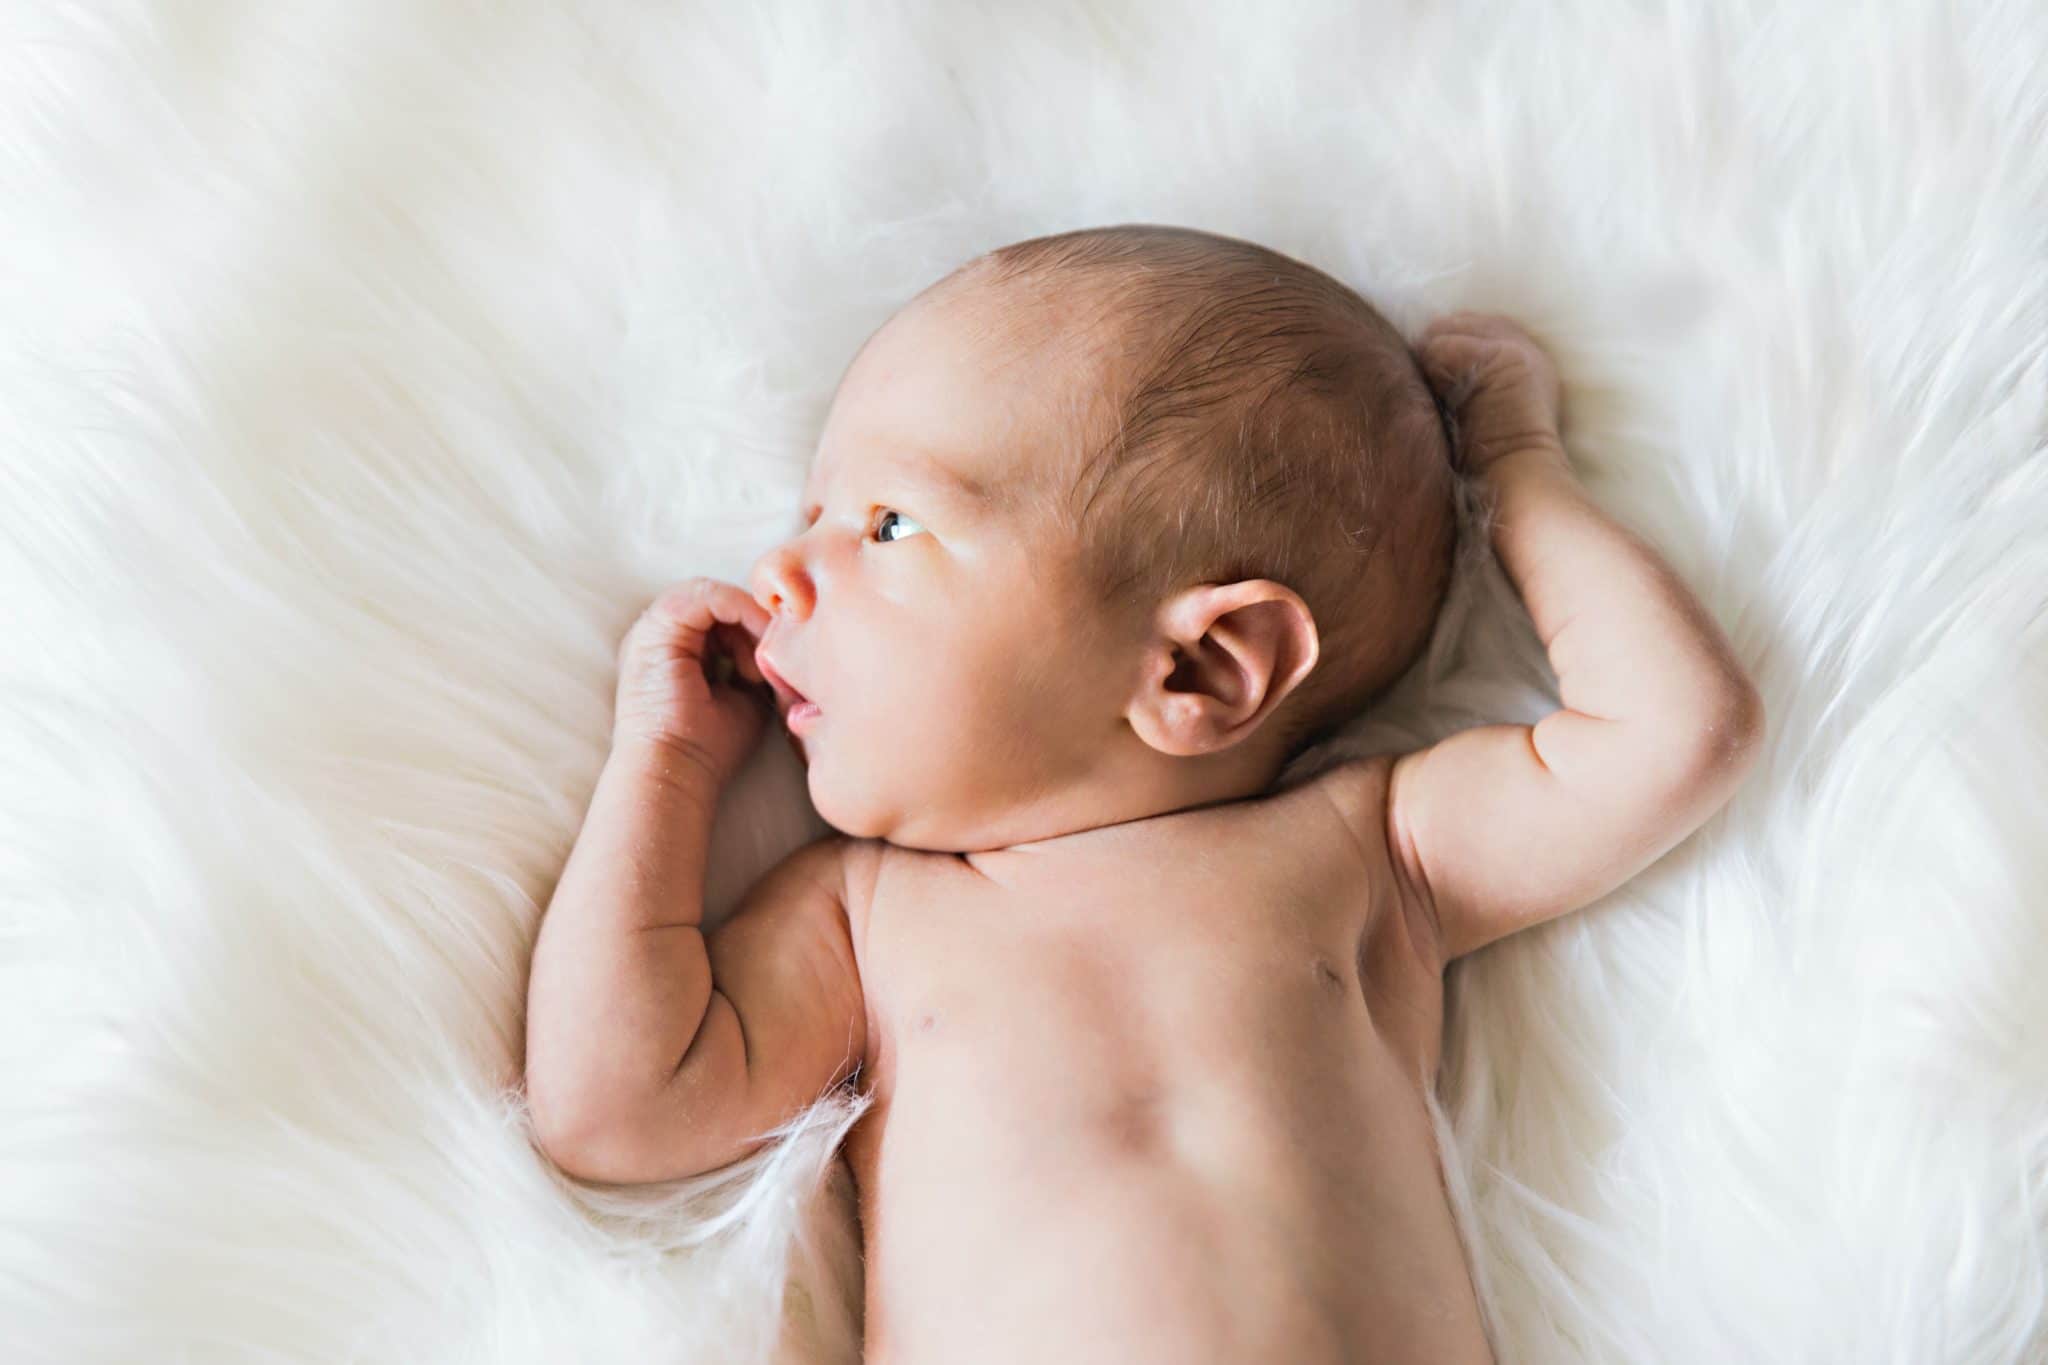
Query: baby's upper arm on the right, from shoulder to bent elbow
x=1506, y=826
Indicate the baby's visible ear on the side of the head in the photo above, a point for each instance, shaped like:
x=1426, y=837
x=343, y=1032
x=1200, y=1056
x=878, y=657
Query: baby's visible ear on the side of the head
x=1222, y=660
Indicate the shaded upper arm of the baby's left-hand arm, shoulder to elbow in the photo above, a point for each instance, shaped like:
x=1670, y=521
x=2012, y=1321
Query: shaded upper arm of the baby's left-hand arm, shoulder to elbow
x=787, y=1022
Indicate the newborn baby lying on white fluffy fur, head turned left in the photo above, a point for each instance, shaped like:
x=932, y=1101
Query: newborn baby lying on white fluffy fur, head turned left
x=1103, y=531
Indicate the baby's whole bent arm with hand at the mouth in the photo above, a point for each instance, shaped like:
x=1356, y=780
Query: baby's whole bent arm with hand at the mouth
x=656, y=1051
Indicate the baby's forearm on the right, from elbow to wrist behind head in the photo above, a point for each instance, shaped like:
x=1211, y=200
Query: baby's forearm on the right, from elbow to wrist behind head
x=1644, y=670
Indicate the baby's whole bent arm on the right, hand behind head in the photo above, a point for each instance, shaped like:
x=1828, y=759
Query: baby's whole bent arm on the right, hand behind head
x=1506, y=826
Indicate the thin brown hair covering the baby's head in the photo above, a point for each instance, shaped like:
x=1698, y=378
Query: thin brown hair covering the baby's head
x=1265, y=425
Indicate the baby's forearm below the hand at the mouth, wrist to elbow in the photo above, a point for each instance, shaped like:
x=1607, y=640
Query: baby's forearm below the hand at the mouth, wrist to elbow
x=620, y=973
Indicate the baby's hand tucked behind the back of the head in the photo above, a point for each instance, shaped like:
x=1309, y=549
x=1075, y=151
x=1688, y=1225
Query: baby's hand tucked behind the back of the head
x=1498, y=384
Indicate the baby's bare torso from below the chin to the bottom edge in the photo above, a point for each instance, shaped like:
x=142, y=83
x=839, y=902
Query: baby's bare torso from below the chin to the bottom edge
x=1164, y=1118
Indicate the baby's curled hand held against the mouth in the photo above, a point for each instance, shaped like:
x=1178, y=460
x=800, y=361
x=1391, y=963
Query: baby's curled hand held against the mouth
x=675, y=676
